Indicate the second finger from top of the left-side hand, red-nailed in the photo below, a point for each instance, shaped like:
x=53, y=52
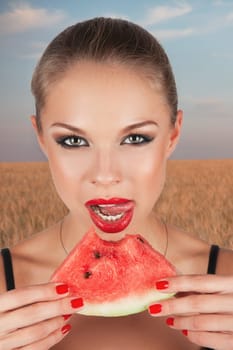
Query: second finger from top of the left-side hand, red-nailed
x=38, y=312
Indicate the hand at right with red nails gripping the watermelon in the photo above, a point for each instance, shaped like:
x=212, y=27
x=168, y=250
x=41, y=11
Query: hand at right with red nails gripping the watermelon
x=202, y=309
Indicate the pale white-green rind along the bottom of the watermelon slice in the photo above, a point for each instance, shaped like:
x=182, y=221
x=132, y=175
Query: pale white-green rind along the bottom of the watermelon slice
x=131, y=304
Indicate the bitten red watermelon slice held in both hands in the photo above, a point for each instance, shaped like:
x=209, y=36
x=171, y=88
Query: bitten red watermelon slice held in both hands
x=114, y=278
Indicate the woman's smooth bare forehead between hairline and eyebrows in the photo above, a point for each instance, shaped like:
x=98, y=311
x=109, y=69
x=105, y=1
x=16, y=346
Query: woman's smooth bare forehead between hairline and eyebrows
x=97, y=89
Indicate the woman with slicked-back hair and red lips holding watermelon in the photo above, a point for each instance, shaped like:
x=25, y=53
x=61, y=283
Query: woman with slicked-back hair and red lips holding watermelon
x=107, y=121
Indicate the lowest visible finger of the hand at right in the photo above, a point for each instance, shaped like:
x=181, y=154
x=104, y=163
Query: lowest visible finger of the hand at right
x=218, y=341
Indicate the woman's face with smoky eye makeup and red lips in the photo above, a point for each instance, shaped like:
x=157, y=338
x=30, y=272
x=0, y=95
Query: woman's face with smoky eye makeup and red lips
x=107, y=134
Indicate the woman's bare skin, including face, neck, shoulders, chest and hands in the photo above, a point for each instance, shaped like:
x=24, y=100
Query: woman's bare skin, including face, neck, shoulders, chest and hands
x=103, y=101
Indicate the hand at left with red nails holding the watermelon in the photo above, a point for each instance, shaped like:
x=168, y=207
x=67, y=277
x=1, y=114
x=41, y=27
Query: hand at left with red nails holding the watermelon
x=35, y=317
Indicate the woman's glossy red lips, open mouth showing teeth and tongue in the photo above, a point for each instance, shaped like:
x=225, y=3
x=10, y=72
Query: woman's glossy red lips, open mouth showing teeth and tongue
x=111, y=215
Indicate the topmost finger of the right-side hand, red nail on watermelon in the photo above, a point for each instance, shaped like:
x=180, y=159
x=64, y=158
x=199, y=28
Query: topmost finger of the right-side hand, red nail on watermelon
x=196, y=283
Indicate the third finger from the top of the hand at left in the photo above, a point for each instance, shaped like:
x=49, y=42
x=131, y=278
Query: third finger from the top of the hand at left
x=31, y=334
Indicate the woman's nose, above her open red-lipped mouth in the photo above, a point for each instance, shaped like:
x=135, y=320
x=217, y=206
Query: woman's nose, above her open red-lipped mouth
x=105, y=169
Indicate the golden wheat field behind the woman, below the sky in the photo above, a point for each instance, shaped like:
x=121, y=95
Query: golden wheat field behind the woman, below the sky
x=198, y=197
